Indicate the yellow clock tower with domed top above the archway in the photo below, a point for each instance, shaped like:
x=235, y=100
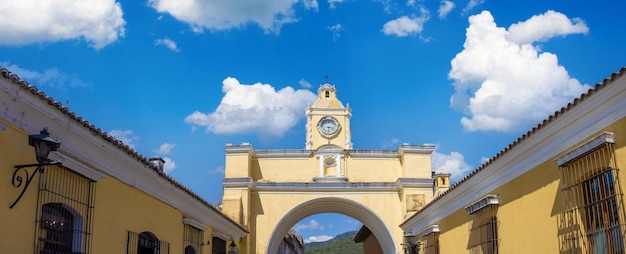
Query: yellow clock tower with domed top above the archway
x=328, y=121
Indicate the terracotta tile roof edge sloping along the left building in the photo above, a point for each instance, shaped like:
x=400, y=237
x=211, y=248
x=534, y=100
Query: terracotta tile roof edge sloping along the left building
x=107, y=137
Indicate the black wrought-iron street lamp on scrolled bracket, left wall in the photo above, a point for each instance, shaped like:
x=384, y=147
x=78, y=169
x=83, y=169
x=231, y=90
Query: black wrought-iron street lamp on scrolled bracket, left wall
x=43, y=144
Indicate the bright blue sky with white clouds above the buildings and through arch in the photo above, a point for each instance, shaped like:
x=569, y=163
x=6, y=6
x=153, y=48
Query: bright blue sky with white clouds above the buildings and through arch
x=180, y=79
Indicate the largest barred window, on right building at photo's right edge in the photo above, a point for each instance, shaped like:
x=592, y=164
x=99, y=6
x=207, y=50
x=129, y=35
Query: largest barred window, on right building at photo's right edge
x=593, y=220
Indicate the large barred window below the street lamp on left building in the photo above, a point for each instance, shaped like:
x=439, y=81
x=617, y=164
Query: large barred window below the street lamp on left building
x=65, y=214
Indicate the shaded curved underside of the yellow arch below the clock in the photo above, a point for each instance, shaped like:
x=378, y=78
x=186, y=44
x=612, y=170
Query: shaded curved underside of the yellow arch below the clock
x=334, y=205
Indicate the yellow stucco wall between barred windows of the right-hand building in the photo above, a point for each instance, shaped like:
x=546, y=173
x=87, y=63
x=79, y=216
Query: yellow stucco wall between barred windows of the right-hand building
x=529, y=209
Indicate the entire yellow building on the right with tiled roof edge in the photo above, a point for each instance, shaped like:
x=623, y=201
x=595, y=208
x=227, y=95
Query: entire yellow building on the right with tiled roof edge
x=556, y=189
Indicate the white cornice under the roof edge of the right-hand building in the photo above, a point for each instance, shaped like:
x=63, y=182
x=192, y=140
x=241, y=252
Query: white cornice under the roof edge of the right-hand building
x=589, y=117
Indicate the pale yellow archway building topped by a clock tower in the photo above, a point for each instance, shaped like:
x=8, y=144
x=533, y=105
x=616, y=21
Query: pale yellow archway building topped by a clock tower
x=269, y=191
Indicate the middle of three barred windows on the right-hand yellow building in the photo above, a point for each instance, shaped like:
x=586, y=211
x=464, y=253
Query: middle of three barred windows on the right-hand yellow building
x=483, y=226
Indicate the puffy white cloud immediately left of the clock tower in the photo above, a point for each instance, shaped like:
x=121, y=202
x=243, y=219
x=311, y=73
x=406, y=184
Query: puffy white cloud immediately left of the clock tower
x=256, y=108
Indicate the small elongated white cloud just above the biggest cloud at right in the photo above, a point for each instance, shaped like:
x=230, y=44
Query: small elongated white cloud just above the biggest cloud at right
x=545, y=26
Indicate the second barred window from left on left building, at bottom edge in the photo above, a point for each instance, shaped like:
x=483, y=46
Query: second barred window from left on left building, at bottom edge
x=146, y=243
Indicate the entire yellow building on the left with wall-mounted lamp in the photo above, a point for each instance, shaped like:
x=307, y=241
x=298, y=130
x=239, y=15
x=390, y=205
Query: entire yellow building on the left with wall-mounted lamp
x=91, y=194
